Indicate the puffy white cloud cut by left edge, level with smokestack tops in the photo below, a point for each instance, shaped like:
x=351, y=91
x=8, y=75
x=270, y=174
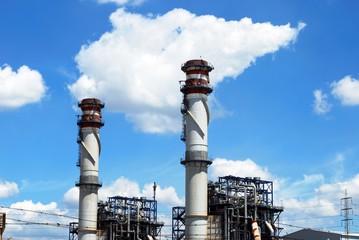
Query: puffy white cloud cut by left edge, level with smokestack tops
x=20, y=88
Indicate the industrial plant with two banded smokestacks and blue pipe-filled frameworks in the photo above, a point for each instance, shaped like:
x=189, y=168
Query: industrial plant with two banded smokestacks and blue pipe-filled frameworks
x=232, y=208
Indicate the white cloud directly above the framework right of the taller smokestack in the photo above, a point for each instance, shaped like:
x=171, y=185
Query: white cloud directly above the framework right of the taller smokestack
x=246, y=168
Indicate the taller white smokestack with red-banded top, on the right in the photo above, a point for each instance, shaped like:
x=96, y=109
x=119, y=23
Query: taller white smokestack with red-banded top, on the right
x=195, y=125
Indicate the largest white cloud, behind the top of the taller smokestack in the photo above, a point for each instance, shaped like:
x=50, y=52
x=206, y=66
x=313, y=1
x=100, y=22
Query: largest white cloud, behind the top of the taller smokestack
x=136, y=72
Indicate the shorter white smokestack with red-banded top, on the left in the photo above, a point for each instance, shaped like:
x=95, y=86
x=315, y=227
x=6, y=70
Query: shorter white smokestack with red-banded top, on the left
x=90, y=147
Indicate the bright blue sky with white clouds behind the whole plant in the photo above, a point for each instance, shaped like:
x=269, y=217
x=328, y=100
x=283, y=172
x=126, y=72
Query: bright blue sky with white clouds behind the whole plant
x=284, y=105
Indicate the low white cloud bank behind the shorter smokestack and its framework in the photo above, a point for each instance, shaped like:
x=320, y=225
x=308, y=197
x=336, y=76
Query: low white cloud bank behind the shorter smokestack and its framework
x=124, y=187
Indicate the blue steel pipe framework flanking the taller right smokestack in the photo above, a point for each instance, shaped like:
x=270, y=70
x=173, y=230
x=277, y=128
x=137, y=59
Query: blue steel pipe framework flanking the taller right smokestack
x=239, y=209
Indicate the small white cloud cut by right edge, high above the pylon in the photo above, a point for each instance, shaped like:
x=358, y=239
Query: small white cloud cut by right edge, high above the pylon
x=346, y=90
